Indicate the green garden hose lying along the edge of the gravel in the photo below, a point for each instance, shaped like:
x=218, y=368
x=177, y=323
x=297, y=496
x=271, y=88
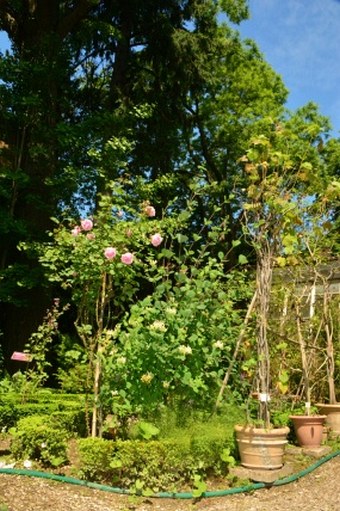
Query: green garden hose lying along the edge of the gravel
x=171, y=495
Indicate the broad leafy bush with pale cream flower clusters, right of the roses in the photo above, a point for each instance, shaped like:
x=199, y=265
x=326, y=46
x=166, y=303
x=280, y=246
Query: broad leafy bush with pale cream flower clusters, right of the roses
x=176, y=344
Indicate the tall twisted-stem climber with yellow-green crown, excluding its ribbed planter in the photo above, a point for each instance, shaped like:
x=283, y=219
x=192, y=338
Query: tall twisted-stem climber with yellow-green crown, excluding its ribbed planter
x=282, y=187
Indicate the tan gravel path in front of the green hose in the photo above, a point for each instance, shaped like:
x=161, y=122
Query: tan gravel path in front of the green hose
x=318, y=491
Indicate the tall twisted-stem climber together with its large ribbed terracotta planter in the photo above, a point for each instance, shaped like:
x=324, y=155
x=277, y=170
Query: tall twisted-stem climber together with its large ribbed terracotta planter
x=267, y=217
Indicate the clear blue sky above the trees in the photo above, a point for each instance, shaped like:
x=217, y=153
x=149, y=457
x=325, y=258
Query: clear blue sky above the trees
x=301, y=41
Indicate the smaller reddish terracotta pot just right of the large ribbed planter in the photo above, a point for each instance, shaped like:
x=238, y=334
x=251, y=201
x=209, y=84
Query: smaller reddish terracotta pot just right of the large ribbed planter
x=308, y=429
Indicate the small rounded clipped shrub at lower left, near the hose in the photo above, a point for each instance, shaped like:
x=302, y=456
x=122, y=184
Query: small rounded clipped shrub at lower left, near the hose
x=38, y=438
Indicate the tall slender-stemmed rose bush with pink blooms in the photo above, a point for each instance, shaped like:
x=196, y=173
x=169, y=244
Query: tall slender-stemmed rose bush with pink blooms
x=101, y=263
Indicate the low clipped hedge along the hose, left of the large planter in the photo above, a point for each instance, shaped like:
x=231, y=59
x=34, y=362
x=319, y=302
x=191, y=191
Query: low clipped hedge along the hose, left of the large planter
x=155, y=465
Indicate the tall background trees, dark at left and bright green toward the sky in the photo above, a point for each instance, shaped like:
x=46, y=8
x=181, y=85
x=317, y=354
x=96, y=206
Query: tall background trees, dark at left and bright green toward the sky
x=160, y=95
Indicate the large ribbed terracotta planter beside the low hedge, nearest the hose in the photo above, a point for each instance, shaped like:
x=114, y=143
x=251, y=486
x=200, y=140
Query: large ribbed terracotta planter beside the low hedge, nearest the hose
x=261, y=448
